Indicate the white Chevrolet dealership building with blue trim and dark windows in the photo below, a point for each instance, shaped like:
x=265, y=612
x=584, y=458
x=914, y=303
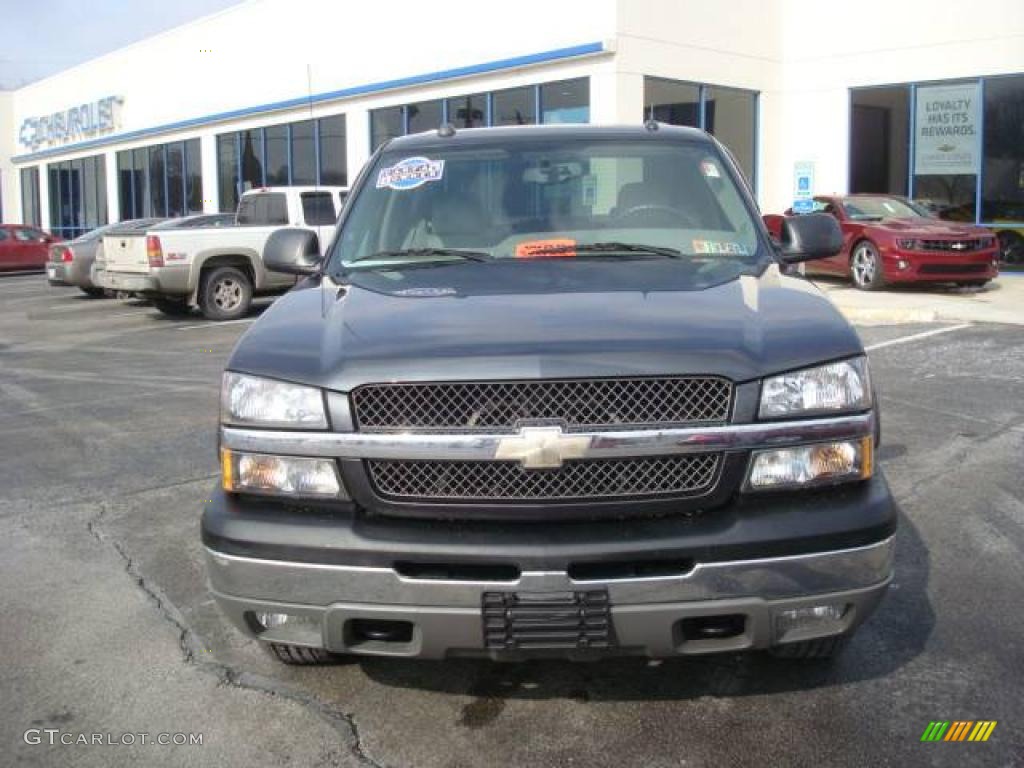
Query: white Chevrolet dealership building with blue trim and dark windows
x=923, y=99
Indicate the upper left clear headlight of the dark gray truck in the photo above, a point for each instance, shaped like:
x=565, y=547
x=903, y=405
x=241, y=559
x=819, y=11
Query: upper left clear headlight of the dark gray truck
x=253, y=401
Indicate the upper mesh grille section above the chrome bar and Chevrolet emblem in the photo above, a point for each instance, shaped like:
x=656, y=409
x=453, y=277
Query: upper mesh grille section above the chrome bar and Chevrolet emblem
x=577, y=404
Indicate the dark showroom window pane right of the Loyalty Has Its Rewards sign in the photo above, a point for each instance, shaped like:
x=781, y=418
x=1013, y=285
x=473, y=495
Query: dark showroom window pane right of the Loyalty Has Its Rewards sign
x=1003, y=187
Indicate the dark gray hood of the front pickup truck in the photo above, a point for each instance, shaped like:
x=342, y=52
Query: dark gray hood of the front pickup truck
x=542, y=321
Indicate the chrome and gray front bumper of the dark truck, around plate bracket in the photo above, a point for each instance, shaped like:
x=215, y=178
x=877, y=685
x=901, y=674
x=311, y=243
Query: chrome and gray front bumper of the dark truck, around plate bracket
x=647, y=613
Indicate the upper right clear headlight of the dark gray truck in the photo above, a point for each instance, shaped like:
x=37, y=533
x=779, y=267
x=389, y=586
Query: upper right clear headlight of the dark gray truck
x=834, y=389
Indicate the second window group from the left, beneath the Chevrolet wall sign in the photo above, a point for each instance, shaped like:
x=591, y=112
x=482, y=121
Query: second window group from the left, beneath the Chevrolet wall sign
x=77, y=196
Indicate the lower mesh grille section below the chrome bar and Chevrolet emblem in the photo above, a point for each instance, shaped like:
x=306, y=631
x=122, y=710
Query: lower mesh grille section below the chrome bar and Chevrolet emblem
x=508, y=483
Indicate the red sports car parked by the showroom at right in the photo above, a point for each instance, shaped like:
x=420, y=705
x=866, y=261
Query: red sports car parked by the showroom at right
x=885, y=240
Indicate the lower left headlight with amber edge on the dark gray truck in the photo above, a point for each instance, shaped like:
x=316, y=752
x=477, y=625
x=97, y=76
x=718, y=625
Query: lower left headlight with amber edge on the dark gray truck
x=280, y=476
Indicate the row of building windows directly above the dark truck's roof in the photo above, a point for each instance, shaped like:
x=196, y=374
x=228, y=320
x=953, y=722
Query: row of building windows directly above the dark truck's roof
x=564, y=102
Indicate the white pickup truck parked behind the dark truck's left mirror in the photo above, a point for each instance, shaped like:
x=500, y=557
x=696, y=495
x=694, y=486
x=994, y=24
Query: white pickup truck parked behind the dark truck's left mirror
x=219, y=270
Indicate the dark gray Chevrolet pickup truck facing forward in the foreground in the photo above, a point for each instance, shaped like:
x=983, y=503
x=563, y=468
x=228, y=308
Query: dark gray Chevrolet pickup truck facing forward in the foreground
x=550, y=391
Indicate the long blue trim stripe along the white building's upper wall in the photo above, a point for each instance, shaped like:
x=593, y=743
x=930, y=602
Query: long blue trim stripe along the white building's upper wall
x=359, y=91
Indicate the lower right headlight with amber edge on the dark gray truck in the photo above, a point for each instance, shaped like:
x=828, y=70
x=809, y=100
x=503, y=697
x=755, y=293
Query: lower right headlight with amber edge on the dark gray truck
x=805, y=466
